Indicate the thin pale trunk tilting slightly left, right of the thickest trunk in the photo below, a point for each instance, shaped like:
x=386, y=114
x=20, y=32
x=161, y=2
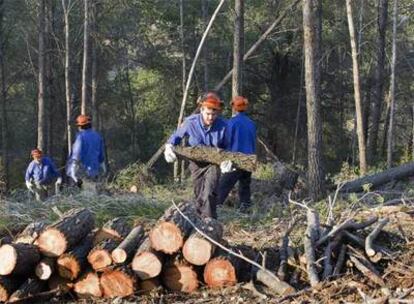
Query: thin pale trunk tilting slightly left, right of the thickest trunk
x=357, y=91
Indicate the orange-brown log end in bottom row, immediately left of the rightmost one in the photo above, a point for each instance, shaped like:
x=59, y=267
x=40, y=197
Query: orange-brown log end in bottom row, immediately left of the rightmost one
x=179, y=275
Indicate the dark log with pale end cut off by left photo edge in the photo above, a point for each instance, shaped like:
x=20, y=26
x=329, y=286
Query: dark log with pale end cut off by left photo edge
x=18, y=259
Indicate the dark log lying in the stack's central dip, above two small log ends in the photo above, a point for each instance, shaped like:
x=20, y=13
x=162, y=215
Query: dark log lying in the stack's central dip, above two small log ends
x=117, y=228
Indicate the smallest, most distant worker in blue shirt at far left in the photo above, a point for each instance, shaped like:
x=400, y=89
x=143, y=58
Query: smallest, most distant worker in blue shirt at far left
x=40, y=174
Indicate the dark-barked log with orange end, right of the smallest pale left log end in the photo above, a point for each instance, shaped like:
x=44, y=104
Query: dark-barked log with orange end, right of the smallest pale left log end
x=70, y=264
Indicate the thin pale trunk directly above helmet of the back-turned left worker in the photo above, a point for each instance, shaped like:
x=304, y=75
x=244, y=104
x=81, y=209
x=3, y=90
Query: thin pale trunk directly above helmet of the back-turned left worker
x=85, y=63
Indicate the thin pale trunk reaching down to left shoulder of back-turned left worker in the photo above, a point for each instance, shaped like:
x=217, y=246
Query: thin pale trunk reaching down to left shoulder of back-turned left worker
x=65, y=5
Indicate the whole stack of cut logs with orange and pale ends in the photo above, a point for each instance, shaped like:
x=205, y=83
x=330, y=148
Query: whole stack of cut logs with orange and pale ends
x=115, y=260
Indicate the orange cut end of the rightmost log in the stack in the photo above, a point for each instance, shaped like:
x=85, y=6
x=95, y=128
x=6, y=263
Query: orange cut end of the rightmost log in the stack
x=219, y=272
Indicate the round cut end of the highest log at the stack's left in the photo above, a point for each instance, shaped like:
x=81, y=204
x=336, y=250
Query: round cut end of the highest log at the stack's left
x=52, y=242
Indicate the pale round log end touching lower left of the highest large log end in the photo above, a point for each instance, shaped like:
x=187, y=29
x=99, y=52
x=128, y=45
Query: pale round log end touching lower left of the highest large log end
x=146, y=265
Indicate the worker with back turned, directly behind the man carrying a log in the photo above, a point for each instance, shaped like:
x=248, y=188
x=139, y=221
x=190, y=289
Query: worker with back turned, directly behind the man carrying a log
x=240, y=137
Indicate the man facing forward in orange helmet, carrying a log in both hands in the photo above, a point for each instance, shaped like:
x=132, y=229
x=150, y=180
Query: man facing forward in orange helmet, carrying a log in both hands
x=206, y=128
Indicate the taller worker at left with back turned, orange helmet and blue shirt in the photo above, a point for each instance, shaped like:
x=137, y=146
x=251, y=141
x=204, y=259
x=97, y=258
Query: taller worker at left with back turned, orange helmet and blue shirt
x=86, y=163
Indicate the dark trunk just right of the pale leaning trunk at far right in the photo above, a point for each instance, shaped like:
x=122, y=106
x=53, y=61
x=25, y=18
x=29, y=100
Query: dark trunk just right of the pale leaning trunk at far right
x=379, y=78
